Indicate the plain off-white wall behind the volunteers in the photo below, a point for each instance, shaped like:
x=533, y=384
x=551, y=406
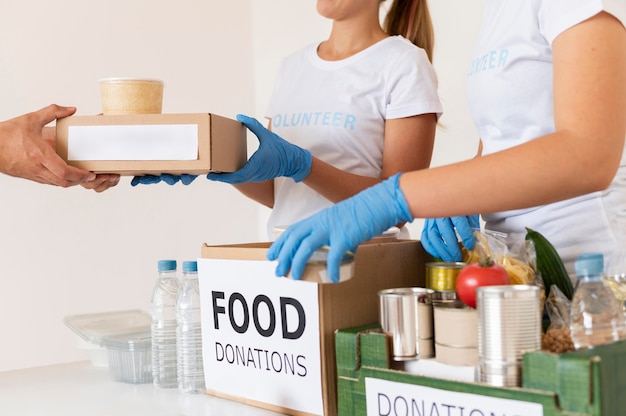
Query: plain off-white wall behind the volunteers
x=71, y=251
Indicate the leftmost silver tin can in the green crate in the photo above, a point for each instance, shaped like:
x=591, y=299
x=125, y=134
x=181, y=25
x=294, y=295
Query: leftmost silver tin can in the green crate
x=406, y=314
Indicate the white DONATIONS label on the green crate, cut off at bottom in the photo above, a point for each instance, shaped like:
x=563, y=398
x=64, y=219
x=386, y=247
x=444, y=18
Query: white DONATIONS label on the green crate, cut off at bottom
x=390, y=398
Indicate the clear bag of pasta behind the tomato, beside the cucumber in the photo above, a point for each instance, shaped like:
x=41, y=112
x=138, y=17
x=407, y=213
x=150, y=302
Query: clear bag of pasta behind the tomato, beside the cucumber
x=517, y=257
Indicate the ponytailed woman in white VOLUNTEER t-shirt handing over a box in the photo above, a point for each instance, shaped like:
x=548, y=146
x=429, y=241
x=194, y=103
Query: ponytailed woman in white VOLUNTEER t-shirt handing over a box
x=354, y=109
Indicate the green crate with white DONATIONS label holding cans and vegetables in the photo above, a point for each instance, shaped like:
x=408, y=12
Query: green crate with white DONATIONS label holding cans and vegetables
x=585, y=383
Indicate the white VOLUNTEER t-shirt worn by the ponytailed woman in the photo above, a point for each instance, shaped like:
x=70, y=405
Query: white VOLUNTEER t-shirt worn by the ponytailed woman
x=337, y=110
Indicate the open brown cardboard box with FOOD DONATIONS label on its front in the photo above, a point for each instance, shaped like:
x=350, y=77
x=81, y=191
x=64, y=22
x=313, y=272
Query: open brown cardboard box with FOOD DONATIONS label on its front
x=269, y=341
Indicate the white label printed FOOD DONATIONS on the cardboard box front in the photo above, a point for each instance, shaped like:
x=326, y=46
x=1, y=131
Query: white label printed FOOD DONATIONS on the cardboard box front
x=260, y=334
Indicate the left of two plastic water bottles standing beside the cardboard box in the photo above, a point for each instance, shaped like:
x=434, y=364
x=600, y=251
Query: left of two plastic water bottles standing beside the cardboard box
x=163, y=311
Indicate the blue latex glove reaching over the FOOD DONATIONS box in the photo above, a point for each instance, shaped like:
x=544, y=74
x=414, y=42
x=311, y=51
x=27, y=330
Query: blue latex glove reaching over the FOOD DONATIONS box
x=342, y=227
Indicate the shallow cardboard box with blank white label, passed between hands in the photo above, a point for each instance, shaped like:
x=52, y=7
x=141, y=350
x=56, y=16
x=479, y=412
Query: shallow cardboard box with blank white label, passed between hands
x=142, y=144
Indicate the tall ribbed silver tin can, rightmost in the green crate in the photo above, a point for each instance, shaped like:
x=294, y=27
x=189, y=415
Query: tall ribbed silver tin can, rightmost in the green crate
x=509, y=325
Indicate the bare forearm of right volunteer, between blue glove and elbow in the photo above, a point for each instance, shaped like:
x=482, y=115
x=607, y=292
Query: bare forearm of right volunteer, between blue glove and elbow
x=543, y=171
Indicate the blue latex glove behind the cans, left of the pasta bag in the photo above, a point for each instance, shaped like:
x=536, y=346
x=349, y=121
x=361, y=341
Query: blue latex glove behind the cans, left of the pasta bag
x=439, y=236
